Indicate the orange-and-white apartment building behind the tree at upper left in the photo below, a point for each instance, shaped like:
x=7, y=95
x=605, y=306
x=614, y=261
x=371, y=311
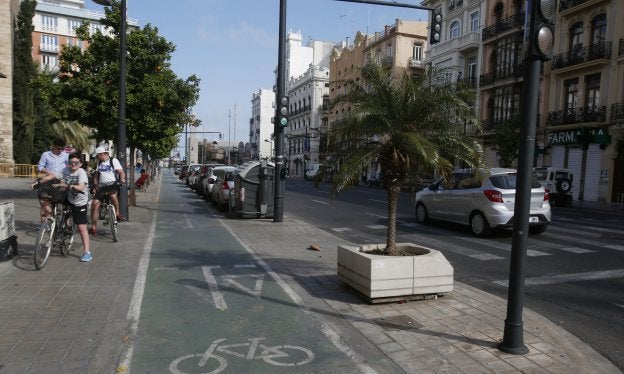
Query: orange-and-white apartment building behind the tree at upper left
x=55, y=23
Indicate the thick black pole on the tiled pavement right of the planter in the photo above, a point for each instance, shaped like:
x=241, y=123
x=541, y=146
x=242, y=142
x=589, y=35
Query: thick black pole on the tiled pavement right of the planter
x=513, y=333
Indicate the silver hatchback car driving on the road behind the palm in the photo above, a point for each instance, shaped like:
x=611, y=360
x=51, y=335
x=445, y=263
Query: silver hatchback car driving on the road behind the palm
x=483, y=200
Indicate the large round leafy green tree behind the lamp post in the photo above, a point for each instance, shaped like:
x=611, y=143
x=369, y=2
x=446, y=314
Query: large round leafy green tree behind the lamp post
x=156, y=99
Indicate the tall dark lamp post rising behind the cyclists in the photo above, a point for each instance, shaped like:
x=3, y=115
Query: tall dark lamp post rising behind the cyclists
x=121, y=130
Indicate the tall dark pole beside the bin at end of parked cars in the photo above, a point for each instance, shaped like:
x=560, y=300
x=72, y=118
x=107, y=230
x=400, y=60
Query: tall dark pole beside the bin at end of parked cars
x=278, y=209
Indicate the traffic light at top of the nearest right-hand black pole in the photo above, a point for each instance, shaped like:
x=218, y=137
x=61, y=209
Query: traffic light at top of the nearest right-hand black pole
x=539, y=28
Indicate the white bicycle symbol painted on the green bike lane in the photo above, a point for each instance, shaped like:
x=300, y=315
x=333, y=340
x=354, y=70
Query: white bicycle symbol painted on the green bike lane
x=210, y=362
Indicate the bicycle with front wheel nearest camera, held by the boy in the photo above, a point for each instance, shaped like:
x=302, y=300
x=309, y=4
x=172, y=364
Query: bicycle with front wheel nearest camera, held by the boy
x=58, y=229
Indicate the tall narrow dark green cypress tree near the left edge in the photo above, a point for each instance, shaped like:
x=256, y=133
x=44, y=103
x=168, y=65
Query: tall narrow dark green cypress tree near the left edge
x=23, y=94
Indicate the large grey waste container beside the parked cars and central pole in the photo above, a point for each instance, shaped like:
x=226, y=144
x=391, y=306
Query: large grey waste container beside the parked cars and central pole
x=253, y=190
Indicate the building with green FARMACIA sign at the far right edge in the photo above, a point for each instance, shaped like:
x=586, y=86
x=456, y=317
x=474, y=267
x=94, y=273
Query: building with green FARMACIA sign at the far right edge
x=584, y=128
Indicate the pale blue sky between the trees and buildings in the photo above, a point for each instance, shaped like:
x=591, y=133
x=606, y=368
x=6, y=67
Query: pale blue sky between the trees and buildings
x=231, y=45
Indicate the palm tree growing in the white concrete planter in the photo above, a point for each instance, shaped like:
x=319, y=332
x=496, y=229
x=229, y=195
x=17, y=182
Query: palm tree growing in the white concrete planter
x=408, y=124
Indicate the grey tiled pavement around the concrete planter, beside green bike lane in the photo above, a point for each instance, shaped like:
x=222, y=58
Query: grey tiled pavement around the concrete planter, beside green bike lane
x=456, y=333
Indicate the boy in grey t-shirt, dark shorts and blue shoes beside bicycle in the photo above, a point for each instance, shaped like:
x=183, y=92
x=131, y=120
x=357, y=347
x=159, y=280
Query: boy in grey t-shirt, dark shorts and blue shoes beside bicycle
x=75, y=177
